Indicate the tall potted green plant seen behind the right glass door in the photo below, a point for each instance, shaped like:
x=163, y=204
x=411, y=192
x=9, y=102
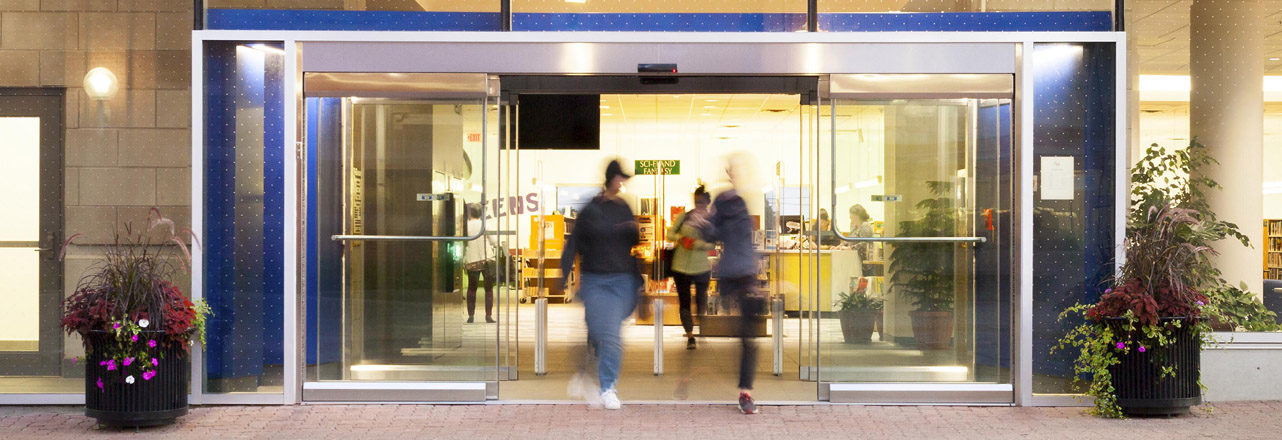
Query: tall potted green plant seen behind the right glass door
x=925, y=273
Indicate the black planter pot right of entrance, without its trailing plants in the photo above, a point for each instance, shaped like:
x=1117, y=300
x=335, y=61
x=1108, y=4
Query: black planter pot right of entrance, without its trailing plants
x=1138, y=379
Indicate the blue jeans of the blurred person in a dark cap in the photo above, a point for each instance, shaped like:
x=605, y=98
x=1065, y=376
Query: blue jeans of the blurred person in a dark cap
x=608, y=300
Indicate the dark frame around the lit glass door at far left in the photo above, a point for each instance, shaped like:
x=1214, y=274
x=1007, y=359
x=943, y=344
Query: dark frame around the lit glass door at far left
x=48, y=105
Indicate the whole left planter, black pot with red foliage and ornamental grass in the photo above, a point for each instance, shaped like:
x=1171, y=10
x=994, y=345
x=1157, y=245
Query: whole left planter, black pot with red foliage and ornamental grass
x=137, y=325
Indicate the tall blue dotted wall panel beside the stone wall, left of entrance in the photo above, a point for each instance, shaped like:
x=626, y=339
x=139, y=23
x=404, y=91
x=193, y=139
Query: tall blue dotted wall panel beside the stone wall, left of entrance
x=244, y=216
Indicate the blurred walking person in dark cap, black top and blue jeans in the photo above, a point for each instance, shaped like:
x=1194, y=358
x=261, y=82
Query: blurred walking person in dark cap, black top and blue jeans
x=603, y=239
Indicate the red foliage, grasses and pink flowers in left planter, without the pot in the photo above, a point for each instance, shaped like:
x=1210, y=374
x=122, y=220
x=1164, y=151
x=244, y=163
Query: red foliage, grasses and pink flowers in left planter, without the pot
x=128, y=307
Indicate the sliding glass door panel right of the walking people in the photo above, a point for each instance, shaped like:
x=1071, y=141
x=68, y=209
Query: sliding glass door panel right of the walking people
x=921, y=282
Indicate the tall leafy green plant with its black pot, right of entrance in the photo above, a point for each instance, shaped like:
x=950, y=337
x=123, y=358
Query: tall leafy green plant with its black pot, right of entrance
x=1140, y=346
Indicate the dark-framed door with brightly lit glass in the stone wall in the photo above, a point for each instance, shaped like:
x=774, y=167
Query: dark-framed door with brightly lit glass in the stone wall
x=35, y=356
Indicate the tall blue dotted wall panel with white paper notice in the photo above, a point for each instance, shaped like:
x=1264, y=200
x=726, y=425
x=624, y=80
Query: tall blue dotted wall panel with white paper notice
x=1072, y=239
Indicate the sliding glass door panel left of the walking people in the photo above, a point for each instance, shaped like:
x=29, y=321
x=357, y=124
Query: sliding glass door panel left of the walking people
x=402, y=192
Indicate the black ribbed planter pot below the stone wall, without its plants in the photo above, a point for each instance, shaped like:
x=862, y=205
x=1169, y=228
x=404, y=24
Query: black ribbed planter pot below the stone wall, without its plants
x=160, y=401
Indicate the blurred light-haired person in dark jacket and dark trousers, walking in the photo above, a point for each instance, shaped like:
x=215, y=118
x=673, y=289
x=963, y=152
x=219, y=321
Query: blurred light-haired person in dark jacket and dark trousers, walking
x=737, y=271
